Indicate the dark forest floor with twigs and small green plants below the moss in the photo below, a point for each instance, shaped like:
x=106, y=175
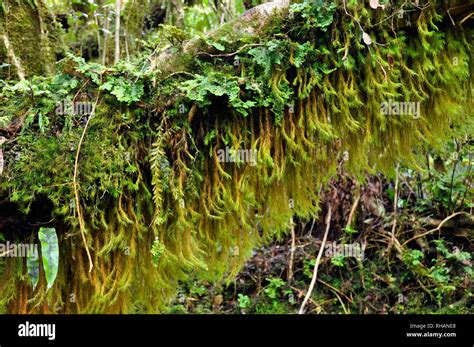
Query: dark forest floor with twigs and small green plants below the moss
x=430, y=274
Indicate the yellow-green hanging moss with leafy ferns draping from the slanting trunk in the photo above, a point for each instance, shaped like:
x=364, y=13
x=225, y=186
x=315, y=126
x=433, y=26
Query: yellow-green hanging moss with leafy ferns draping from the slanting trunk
x=149, y=170
